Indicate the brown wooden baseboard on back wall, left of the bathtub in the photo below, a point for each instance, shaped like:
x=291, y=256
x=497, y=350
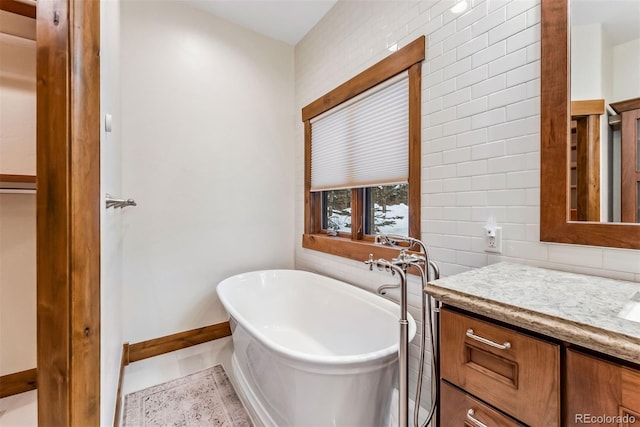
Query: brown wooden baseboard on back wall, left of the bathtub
x=157, y=346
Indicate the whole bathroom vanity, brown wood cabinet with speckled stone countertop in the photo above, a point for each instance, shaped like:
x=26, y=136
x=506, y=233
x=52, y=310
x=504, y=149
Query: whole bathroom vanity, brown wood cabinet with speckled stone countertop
x=539, y=347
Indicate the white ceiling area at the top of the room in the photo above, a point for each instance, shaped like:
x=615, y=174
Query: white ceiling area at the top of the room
x=284, y=20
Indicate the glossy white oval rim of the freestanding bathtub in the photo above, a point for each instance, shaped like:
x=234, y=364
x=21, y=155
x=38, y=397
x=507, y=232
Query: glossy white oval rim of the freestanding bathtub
x=376, y=356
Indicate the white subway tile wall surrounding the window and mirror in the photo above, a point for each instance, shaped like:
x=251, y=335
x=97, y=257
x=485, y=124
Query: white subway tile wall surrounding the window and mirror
x=480, y=131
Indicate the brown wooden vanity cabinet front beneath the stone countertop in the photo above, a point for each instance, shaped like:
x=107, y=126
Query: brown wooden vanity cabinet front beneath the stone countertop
x=497, y=376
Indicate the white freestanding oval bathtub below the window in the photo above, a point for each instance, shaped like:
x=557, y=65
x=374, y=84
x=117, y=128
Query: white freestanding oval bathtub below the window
x=310, y=350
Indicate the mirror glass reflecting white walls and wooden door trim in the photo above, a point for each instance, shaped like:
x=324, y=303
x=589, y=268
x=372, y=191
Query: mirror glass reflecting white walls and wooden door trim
x=605, y=110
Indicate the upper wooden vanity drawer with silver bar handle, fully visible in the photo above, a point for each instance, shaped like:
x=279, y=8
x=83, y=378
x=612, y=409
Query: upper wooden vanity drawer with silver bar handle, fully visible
x=519, y=378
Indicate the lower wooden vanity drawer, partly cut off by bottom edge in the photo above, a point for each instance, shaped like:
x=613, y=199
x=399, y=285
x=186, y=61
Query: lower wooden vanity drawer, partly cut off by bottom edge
x=460, y=409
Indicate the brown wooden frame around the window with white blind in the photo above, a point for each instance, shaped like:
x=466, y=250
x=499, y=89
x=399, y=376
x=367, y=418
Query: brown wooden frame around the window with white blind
x=356, y=245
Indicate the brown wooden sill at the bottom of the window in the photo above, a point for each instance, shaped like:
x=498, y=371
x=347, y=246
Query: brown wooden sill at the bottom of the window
x=347, y=248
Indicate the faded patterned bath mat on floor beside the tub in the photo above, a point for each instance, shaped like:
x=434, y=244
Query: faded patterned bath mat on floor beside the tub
x=205, y=398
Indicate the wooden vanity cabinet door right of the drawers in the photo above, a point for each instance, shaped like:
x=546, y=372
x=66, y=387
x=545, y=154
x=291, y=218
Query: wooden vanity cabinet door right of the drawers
x=596, y=389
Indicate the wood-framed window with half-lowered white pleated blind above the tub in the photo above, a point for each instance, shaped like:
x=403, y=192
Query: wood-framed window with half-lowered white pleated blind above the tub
x=362, y=158
